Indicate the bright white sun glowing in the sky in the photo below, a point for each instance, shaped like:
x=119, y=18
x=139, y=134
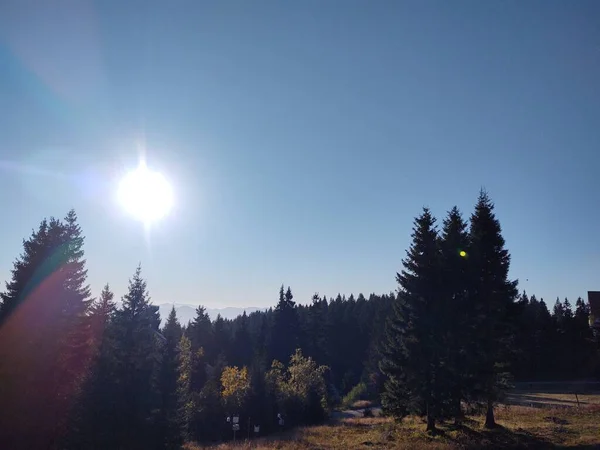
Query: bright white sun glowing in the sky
x=145, y=194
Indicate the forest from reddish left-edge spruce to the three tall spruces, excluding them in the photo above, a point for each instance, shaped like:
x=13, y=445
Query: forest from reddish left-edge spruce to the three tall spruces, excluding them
x=80, y=372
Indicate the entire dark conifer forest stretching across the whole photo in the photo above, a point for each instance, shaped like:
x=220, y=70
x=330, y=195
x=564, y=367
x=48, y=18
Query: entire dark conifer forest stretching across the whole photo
x=80, y=370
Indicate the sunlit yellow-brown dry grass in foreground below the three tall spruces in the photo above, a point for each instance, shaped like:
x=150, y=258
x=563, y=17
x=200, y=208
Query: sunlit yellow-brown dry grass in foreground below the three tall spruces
x=520, y=427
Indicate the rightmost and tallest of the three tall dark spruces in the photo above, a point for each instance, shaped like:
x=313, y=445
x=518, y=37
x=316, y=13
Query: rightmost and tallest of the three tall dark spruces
x=493, y=294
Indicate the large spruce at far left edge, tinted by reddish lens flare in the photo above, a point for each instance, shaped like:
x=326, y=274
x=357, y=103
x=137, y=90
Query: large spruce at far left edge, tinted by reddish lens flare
x=44, y=334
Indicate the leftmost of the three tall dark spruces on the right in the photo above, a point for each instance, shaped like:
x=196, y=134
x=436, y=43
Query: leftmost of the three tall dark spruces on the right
x=413, y=346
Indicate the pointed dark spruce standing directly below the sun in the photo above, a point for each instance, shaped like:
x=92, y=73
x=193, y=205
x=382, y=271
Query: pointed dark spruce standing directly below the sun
x=137, y=354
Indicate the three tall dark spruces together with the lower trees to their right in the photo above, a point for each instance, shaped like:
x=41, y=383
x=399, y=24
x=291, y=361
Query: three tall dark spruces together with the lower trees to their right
x=459, y=334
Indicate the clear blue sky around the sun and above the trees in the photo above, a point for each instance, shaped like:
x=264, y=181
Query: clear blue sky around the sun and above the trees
x=302, y=137
